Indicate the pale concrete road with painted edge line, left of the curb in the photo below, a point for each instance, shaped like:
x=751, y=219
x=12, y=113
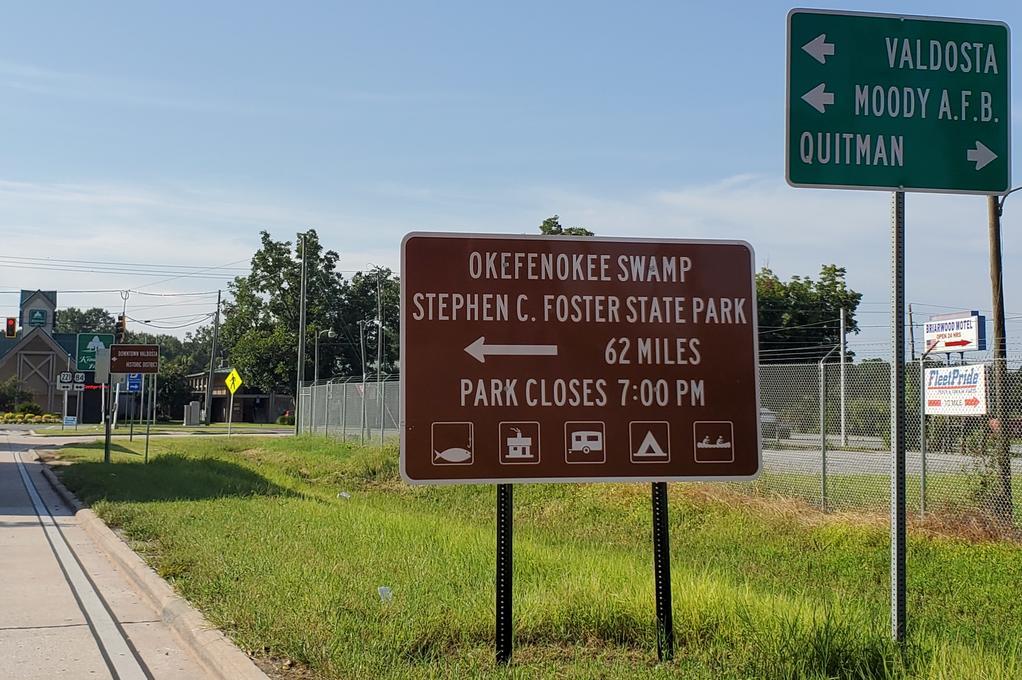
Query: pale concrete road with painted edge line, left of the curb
x=66, y=611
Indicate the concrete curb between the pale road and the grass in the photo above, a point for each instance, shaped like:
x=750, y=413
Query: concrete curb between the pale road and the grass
x=220, y=657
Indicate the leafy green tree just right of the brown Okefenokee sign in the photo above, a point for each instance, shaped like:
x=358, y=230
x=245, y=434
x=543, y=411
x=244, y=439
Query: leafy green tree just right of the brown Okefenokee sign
x=800, y=320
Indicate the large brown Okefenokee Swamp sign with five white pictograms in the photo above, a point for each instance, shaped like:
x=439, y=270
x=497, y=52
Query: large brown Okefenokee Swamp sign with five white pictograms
x=560, y=359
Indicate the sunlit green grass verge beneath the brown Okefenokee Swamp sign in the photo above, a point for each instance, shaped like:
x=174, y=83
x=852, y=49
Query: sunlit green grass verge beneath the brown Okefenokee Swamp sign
x=253, y=532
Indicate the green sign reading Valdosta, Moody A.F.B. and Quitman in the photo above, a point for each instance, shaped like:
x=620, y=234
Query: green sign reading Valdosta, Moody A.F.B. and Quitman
x=904, y=104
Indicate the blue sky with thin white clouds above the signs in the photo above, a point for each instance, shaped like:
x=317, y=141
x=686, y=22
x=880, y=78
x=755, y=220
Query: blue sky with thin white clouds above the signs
x=171, y=134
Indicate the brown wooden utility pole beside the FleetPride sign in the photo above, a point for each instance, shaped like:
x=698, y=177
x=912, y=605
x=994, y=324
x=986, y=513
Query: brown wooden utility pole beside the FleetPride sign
x=1003, y=494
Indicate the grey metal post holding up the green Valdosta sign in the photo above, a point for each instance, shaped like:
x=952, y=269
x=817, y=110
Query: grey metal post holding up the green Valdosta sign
x=898, y=420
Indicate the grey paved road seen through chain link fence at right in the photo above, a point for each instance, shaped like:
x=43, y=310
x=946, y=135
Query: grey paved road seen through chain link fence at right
x=872, y=463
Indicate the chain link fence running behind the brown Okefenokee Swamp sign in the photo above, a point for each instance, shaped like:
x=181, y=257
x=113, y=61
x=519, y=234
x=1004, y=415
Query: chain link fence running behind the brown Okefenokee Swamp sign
x=826, y=436
